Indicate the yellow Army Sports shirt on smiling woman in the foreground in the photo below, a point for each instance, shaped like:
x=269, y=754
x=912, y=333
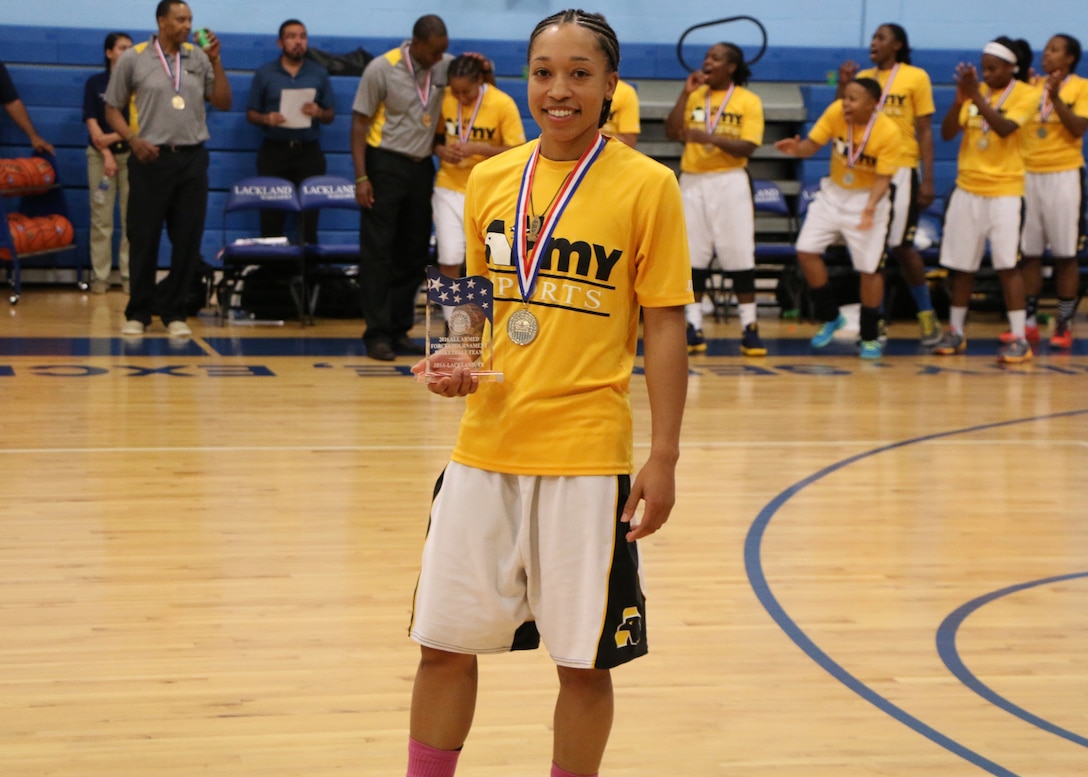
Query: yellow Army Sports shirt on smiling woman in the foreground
x=564, y=406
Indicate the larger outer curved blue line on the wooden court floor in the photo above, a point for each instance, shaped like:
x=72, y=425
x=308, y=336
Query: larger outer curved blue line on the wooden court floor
x=753, y=565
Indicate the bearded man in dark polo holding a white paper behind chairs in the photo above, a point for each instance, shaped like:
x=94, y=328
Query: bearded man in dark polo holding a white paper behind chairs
x=292, y=153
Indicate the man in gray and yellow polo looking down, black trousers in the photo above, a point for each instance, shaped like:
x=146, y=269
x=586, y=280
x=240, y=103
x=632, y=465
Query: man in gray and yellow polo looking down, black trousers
x=395, y=117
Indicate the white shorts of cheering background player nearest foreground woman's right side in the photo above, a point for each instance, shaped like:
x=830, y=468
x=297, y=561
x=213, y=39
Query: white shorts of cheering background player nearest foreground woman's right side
x=721, y=218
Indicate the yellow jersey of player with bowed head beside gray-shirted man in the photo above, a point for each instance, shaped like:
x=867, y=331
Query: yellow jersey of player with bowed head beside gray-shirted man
x=498, y=124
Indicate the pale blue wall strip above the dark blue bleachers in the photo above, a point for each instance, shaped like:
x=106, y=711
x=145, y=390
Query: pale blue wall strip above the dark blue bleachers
x=956, y=24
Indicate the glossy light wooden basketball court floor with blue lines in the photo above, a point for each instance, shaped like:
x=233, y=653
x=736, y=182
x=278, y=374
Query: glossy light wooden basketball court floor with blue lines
x=208, y=552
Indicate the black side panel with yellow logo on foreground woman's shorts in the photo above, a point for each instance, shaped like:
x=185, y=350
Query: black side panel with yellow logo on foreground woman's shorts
x=624, y=635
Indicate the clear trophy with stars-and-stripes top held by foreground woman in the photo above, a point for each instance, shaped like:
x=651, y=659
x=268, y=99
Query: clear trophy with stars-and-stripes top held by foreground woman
x=462, y=336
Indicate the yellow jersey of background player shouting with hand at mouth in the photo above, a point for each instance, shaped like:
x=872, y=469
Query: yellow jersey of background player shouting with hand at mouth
x=741, y=120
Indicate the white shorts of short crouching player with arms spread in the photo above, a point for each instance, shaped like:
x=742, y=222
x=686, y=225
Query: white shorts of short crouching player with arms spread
x=836, y=213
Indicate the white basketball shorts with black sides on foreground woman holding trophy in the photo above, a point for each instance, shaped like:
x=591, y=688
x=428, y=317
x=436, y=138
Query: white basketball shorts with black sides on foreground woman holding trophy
x=511, y=560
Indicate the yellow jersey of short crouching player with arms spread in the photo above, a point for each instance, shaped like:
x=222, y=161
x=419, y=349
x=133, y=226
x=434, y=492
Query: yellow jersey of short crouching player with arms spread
x=881, y=155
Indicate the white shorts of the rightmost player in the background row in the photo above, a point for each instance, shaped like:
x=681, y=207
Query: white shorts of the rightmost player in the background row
x=1054, y=207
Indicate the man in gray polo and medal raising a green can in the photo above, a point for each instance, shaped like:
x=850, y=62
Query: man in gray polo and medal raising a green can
x=168, y=171
